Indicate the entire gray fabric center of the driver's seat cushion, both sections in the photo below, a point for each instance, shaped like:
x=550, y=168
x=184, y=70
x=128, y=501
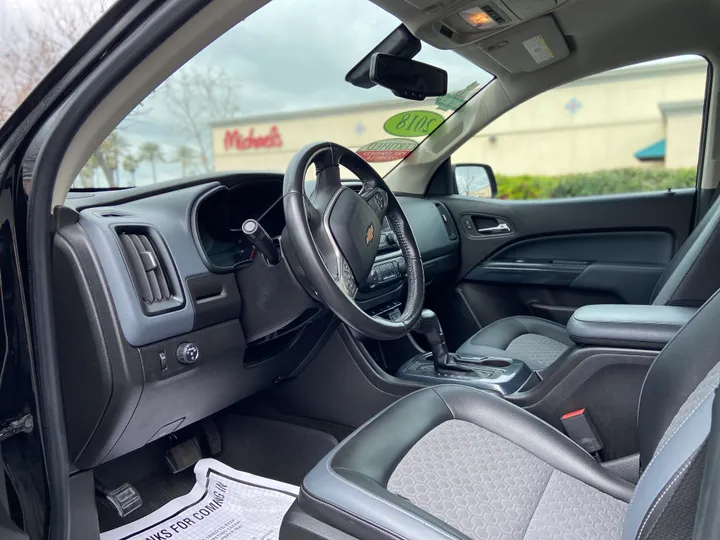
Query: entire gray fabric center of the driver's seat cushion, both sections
x=488, y=487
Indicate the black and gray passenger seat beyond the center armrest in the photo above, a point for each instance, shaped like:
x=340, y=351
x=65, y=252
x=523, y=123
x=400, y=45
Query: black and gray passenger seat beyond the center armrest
x=689, y=280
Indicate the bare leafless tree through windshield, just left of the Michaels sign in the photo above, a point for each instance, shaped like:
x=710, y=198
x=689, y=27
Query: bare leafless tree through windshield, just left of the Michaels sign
x=196, y=97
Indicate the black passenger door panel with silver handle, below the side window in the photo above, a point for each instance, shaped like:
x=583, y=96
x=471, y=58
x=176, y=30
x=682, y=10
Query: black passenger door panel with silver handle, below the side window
x=553, y=256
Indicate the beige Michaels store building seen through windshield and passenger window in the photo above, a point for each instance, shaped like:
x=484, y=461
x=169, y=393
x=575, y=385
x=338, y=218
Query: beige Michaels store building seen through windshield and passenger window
x=646, y=115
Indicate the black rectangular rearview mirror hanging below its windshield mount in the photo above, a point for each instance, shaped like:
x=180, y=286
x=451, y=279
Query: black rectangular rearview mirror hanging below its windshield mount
x=407, y=78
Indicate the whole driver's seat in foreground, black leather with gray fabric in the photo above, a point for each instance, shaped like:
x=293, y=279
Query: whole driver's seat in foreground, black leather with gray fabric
x=451, y=462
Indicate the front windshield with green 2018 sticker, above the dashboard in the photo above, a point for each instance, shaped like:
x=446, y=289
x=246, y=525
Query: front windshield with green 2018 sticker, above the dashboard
x=270, y=85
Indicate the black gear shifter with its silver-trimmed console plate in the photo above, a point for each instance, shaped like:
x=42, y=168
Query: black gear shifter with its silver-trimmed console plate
x=501, y=375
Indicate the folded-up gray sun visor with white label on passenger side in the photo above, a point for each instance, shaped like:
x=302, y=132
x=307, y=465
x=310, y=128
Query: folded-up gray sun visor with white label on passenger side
x=527, y=47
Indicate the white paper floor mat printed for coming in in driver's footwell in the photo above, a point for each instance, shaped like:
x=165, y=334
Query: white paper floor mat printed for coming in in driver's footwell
x=224, y=504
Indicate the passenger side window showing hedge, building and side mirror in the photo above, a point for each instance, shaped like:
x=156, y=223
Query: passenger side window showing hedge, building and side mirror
x=628, y=130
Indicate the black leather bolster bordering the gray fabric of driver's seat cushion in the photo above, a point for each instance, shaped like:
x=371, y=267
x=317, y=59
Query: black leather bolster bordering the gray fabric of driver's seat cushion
x=349, y=485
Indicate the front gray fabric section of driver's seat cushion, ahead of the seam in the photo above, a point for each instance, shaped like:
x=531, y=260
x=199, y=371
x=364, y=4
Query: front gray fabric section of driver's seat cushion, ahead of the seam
x=456, y=474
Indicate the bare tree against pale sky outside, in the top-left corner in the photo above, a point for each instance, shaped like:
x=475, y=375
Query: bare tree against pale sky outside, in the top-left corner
x=34, y=35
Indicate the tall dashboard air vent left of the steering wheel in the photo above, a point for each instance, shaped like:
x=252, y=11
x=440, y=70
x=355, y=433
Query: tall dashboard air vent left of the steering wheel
x=152, y=269
